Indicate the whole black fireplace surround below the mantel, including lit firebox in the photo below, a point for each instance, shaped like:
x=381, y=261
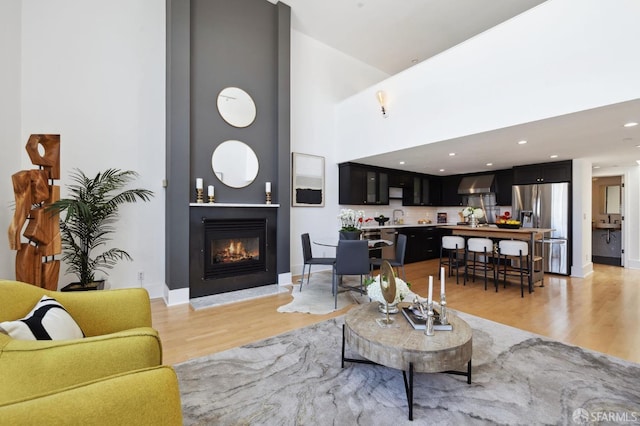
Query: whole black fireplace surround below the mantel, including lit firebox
x=231, y=249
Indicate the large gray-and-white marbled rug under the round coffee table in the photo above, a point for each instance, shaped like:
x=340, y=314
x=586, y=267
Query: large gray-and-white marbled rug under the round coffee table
x=518, y=378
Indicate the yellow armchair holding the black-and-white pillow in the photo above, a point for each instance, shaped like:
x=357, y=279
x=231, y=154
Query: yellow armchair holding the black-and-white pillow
x=119, y=339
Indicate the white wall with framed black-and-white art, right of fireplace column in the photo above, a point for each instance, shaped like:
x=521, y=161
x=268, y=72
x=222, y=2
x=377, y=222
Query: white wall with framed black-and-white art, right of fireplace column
x=320, y=77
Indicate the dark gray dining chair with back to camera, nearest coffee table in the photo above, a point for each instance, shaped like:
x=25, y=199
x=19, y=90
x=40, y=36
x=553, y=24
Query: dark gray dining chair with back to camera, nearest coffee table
x=352, y=258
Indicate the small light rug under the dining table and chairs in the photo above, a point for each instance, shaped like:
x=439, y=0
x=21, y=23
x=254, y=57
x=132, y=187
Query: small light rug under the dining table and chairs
x=316, y=297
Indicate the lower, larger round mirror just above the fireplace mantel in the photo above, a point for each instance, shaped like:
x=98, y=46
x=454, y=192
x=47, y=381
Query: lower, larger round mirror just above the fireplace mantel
x=235, y=163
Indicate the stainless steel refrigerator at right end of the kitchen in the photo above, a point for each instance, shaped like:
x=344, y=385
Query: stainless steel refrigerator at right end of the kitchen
x=547, y=206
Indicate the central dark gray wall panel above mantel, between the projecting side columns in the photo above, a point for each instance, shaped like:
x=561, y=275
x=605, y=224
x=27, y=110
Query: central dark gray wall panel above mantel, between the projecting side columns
x=234, y=43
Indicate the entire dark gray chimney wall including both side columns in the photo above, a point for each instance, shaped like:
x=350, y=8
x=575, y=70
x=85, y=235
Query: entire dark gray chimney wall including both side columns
x=213, y=44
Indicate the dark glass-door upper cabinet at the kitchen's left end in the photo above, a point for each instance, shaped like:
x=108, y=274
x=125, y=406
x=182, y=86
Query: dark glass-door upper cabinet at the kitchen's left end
x=362, y=185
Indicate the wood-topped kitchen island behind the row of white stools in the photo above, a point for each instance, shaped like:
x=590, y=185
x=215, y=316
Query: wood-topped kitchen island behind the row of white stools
x=531, y=235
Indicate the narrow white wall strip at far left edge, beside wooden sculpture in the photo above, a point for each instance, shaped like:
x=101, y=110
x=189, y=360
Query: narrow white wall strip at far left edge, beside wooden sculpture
x=10, y=138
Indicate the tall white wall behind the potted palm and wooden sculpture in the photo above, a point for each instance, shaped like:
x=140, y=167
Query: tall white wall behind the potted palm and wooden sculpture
x=94, y=72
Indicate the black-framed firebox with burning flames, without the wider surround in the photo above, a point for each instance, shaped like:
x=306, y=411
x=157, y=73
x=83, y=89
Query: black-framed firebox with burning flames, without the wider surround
x=234, y=247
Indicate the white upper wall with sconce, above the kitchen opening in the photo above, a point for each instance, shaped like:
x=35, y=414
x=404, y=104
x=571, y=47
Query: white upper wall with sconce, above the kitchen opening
x=560, y=57
